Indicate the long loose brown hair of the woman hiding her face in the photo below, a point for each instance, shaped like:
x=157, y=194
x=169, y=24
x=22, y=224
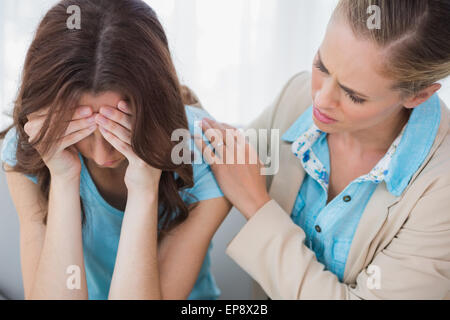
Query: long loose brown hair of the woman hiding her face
x=121, y=47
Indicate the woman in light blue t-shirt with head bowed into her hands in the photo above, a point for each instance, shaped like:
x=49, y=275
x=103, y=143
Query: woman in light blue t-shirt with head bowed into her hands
x=104, y=210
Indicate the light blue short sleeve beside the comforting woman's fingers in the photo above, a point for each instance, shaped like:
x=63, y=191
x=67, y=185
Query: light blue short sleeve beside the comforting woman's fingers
x=205, y=184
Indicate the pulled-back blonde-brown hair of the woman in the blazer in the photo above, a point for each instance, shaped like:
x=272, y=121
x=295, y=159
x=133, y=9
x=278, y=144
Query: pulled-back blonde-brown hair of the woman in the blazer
x=414, y=35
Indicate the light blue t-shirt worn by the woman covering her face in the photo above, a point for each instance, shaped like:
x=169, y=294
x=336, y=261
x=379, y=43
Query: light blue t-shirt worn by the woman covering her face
x=101, y=231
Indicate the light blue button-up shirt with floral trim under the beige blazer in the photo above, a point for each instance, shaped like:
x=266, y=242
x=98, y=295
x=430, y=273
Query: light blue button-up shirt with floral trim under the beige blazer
x=330, y=228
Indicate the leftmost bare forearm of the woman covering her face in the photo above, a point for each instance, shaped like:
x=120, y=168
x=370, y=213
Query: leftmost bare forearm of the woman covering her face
x=63, y=247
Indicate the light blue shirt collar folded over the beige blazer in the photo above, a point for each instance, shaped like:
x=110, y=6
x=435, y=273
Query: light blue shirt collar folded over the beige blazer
x=415, y=144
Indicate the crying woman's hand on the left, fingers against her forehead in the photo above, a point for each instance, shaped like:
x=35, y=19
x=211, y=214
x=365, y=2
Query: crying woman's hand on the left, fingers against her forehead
x=62, y=160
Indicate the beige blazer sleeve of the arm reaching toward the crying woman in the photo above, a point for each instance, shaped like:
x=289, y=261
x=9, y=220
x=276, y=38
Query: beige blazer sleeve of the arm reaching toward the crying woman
x=415, y=265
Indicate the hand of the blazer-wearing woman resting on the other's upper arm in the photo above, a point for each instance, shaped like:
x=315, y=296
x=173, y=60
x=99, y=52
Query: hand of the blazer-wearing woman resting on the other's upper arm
x=242, y=184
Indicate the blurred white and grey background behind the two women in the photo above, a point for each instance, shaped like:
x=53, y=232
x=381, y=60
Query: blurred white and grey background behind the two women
x=235, y=54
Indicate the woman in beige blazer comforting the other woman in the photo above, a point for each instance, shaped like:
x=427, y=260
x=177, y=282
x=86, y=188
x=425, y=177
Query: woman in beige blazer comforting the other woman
x=360, y=206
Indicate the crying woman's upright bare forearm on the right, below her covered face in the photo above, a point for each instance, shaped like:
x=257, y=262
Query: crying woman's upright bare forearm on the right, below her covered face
x=136, y=274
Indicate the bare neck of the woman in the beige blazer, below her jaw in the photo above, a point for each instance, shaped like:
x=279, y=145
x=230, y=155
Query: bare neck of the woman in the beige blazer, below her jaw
x=376, y=139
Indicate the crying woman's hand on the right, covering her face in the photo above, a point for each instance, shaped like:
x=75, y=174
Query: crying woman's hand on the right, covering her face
x=115, y=126
